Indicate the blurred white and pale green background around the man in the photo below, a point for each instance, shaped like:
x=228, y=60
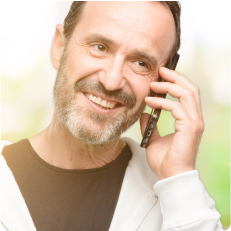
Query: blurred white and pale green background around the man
x=27, y=78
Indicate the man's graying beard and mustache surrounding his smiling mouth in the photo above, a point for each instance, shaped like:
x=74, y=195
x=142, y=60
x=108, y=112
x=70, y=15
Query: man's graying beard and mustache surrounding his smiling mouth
x=72, y=116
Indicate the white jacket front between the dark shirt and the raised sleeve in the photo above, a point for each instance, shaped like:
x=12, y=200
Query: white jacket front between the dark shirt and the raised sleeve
x=136, y=196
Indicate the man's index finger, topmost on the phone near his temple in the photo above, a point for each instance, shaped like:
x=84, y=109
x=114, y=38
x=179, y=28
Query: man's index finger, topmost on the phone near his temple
x=178, y=79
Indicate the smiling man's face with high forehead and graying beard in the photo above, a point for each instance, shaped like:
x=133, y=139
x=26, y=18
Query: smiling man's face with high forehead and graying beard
x=107, y=66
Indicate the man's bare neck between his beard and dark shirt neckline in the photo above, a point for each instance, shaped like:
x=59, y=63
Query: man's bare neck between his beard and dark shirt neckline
x=58, y=147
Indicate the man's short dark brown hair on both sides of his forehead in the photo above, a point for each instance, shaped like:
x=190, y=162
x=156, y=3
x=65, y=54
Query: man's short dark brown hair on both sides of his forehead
x=76, y=10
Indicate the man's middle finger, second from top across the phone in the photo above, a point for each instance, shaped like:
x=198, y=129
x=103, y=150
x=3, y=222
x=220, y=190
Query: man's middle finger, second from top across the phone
x=186, y=96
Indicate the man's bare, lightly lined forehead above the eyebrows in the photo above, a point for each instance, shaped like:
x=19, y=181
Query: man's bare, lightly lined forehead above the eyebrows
x=131, y=23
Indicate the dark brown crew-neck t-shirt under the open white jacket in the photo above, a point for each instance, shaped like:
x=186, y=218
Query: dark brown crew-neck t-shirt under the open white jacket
x=63, y=199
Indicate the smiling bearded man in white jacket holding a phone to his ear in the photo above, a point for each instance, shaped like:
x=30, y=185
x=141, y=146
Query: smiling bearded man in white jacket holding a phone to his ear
x=78, y=174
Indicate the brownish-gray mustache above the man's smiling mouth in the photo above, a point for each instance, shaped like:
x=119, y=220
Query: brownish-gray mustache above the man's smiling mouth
x=127, y=99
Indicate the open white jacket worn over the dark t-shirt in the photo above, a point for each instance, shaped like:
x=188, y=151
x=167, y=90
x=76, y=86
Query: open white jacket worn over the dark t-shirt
x=178, y=203
